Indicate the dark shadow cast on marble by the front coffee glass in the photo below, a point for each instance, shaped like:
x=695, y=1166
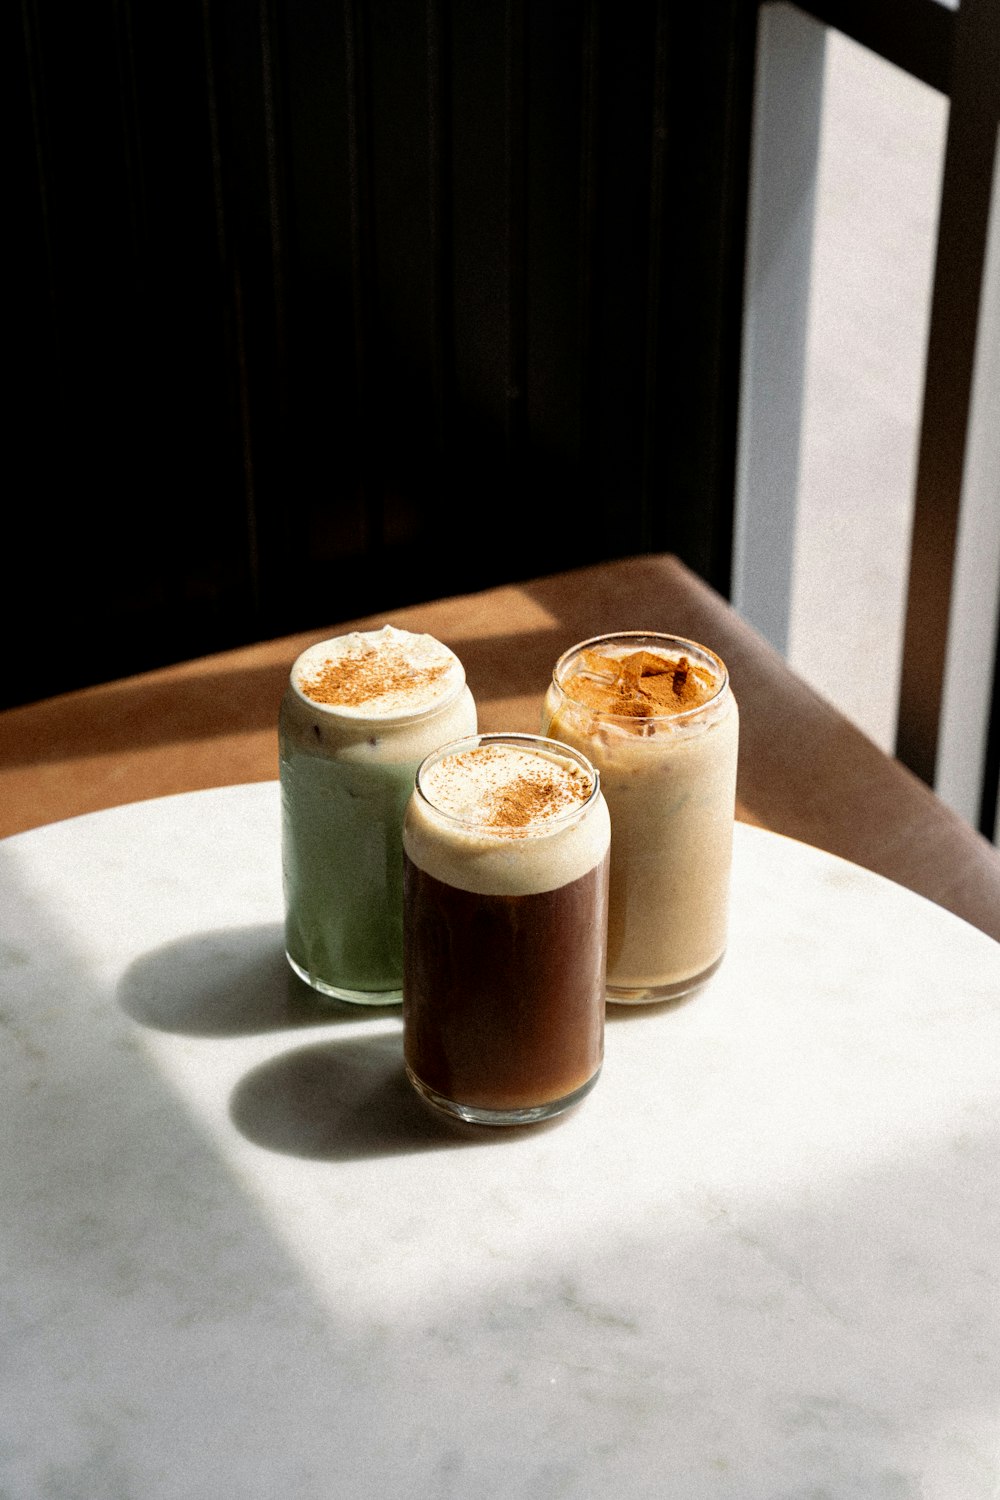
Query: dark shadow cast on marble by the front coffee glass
x=350, y=1100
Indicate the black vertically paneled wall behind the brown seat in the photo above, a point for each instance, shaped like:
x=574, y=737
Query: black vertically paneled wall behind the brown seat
x=328, y=308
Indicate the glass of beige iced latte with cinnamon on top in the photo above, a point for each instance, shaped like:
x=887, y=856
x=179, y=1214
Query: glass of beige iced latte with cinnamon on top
x=657, y=718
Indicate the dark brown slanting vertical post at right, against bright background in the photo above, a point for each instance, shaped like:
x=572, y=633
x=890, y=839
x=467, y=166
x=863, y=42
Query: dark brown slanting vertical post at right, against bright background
x=962, y=250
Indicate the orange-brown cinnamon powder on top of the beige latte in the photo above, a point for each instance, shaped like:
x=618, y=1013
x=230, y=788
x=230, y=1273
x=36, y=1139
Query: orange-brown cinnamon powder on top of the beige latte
x=641, y=685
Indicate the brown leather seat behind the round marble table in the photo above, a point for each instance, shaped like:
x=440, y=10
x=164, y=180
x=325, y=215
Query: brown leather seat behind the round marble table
x=804, y=770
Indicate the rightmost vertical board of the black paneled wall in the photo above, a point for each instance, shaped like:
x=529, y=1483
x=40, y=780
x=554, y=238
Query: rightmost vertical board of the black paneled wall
x=699, y=190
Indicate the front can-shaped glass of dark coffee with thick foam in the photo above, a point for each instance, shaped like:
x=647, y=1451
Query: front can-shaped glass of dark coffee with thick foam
x=506, y=856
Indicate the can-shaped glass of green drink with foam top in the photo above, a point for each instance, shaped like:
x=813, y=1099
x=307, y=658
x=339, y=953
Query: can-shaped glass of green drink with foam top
x=359, y=716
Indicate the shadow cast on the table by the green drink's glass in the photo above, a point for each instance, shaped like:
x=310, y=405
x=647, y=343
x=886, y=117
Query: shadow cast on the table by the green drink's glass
x=232, y=982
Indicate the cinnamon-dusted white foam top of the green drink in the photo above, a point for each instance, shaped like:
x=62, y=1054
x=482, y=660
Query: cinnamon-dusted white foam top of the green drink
x=379, y=674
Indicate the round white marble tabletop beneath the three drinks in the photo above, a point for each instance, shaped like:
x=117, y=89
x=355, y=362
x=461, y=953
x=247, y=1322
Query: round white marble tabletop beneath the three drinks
x=241, y=1259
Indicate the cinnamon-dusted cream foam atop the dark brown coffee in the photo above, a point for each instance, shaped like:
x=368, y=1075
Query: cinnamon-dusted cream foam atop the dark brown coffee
x=506, y=818
